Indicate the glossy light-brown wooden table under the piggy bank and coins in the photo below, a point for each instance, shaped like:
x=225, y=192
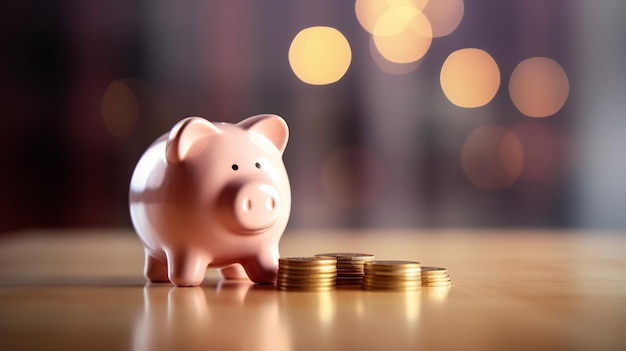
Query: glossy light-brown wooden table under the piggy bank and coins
x=512, y=290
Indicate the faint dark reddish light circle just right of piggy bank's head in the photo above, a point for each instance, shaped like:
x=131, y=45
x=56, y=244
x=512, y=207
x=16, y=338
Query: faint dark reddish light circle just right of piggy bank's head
x=351, y=177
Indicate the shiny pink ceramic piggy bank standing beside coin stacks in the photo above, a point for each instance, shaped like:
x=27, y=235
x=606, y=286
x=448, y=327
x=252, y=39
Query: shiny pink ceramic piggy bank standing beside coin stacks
x=212, y=195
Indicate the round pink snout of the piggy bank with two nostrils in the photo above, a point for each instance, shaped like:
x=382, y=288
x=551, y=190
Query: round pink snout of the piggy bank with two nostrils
x=253, y=206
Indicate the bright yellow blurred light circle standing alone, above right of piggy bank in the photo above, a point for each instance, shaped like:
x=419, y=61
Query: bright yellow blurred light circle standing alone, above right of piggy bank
x=319, y=55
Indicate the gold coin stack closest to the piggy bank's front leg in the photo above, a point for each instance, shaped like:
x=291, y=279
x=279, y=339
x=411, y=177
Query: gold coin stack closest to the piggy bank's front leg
x=307, y=273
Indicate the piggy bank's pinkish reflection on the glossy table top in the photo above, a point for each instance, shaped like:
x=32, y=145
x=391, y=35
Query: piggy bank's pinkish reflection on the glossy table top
x=234, y=315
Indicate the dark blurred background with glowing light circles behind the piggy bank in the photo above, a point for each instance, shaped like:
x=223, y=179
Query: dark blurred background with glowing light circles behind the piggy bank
x=403, y=113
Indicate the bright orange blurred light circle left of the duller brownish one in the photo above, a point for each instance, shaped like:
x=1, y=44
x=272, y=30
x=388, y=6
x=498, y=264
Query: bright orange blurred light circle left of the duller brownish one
x=470, y=77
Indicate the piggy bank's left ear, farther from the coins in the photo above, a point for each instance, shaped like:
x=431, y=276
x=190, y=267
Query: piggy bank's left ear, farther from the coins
x=184, y=134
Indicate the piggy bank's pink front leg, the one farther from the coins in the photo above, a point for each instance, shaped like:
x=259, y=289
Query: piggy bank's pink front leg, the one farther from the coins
x=187, y=268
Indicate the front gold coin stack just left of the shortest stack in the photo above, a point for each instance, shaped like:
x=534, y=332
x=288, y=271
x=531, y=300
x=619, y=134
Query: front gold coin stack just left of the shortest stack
x=392, y=275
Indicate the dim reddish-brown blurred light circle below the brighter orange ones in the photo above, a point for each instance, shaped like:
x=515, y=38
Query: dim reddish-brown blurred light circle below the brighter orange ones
x=492, y=158
